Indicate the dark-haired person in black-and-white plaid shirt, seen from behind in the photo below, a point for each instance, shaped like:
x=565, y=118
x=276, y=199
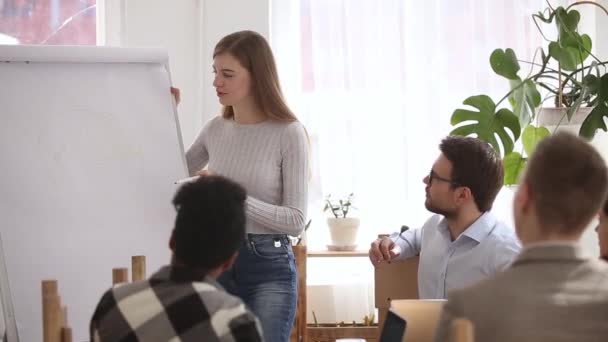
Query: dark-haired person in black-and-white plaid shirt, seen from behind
x=182, y=301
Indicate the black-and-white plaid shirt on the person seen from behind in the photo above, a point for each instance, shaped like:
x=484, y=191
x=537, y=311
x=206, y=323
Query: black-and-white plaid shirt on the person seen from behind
x=175, y=304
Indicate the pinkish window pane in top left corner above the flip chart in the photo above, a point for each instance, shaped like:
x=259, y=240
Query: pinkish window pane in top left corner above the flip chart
x=52, y=22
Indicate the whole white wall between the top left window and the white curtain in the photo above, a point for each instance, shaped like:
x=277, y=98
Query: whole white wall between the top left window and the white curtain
x=189, y=29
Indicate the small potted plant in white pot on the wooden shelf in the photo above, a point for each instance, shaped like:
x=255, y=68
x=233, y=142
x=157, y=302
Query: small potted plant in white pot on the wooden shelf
x=342, y=229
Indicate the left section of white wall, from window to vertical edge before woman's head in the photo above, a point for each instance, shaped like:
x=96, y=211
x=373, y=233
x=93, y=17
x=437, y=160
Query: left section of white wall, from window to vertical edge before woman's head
x=174, y=25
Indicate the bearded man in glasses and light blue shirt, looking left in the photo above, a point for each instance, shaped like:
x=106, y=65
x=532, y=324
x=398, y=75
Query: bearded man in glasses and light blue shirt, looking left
x=464, y=242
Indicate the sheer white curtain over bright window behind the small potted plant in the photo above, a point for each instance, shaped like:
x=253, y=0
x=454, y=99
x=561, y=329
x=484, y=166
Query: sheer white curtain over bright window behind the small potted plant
x=376, y=81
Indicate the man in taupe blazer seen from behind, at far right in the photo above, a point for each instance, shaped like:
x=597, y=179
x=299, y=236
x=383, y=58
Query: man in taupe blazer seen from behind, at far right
x=552, y=292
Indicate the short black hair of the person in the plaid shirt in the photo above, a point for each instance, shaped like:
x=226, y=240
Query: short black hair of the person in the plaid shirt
x=210, y=221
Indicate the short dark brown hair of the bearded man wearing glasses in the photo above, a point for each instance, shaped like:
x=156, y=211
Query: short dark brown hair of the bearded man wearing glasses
x=476, y=165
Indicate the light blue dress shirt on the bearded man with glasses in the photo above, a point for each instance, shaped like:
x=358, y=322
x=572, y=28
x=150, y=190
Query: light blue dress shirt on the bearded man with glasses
x=484, y=248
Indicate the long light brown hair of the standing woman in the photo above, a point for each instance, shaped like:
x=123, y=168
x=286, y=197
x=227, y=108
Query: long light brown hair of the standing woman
x=253, y=52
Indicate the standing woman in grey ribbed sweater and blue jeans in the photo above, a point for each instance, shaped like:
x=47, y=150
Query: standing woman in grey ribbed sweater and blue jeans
x=259, y=143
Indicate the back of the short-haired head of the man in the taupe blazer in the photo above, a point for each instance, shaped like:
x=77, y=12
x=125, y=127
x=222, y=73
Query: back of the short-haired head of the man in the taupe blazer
x=567, y=181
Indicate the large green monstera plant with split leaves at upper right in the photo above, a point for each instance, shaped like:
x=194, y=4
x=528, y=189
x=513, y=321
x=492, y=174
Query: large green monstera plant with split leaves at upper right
x=567, y=74
